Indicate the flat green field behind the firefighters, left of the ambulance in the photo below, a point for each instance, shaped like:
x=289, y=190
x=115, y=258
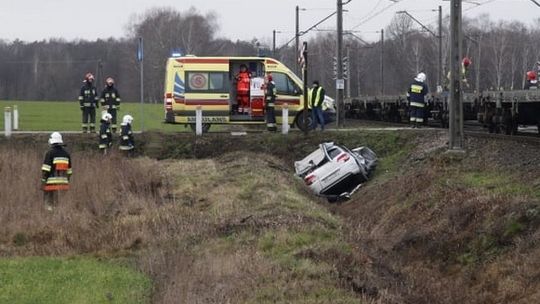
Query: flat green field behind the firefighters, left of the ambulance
x=66, y=116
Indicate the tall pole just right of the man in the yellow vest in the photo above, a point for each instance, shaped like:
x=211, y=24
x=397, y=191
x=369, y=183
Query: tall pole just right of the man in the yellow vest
x=339, y=68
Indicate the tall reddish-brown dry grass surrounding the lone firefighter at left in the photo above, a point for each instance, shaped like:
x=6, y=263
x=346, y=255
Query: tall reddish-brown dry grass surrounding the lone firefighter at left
x=98, y=213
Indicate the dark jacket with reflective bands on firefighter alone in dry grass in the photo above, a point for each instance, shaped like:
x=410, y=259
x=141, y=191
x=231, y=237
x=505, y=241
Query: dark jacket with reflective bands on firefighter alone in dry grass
x=56, y=169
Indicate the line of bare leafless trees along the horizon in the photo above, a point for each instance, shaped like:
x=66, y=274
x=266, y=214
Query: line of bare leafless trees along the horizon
x=501, y=52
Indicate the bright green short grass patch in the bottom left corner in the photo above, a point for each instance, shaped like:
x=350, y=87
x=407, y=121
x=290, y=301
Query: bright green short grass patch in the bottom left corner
x=78, y=280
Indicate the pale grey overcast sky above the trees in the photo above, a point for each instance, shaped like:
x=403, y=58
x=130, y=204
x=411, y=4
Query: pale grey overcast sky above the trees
x=31, y=20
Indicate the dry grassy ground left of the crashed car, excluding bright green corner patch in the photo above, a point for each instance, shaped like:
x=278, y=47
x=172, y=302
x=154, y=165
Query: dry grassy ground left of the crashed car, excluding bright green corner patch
x=203, y=230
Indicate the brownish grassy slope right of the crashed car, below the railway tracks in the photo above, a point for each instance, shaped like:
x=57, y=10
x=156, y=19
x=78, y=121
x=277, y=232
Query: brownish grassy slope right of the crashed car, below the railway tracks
x=450, y=231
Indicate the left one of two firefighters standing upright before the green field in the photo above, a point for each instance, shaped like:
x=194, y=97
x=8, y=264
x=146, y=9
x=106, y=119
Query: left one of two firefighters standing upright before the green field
x=88, y=103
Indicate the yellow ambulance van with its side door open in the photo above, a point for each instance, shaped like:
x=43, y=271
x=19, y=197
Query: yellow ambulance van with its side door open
x=211, y=83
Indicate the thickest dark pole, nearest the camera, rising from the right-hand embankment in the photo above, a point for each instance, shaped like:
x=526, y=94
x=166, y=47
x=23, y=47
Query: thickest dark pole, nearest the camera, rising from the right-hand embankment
x=456, y=105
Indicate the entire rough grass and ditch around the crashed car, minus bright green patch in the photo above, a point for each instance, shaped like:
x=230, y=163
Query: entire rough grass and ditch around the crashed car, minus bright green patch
x=430, y=227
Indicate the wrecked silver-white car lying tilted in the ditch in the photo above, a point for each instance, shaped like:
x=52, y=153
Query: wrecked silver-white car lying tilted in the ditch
x=334, y=171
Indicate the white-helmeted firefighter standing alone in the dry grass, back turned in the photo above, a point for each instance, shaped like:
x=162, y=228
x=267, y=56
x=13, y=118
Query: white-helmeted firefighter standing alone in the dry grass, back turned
x=55, y=171
